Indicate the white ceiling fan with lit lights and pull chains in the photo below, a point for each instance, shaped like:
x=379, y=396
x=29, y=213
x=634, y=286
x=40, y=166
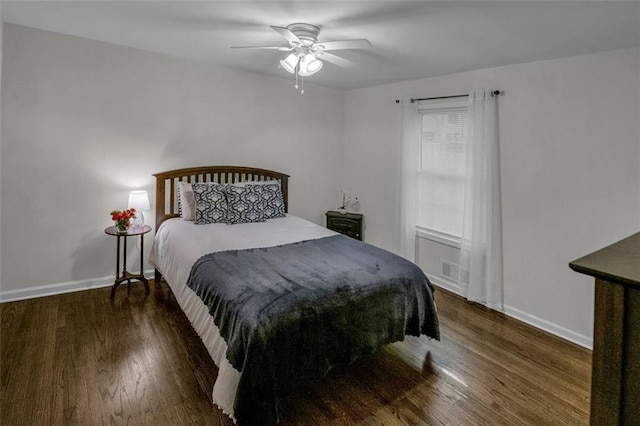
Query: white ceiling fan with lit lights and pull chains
x=307, y=53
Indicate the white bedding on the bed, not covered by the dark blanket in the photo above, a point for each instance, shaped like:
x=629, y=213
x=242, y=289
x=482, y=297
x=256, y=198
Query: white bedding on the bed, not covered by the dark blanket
x=178, y=244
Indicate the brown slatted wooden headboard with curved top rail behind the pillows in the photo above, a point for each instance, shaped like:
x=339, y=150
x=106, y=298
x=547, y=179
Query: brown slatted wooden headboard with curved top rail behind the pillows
x=167, y=204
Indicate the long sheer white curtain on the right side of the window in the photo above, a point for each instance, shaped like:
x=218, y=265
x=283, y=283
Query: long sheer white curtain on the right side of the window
x=481, y=248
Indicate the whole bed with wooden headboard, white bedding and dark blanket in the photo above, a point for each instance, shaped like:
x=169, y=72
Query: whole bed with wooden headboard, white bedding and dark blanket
x=277, y=302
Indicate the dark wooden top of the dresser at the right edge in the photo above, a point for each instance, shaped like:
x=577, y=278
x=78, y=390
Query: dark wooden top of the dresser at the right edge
x=618, y=263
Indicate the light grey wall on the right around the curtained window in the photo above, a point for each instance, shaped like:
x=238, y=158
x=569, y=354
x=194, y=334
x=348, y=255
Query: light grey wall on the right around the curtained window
x=569, y=135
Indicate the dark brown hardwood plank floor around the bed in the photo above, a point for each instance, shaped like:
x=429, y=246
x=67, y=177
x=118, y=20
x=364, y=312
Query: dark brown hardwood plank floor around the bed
x=82, y=359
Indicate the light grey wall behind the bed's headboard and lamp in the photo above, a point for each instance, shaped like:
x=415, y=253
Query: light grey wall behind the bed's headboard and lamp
x=85, y=122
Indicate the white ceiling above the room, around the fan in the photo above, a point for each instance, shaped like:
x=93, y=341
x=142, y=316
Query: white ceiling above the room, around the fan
x=411, y=39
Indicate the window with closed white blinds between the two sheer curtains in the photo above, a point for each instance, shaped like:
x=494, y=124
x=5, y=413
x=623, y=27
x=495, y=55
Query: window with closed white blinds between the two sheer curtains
x=443, y=147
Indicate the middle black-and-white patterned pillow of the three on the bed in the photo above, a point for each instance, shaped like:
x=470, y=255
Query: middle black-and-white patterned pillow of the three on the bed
x=245, y=204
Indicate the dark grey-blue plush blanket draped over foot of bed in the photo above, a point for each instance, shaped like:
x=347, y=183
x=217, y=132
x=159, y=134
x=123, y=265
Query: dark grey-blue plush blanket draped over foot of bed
x=290, y=313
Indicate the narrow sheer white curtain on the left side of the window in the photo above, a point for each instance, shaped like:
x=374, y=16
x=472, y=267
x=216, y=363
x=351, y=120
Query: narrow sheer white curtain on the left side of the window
x=408, y=162
